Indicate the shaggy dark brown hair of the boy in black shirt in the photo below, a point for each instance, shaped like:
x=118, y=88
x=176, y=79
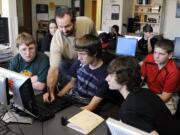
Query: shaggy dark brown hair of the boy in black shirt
x=127, y=70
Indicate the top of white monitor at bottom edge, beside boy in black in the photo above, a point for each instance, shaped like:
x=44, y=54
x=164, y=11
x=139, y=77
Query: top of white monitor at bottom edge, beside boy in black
x=120, y=128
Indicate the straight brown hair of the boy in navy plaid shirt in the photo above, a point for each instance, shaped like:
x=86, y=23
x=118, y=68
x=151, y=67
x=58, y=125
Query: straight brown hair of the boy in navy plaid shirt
x=90, y=44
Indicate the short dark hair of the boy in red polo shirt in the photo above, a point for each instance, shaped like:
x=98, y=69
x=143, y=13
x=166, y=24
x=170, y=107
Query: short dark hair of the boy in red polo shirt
x=166, y=45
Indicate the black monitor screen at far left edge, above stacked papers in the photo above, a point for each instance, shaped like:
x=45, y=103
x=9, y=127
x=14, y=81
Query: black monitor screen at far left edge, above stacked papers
x=4, y=31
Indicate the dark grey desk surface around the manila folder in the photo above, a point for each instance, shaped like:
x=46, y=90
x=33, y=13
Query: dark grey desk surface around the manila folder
x=54, y=127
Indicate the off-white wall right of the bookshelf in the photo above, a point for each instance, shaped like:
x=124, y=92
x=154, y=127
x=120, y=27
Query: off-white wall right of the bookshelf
x=171, y=24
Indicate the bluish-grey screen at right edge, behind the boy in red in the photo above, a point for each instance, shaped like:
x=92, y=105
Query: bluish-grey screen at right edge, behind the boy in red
x=176, y=53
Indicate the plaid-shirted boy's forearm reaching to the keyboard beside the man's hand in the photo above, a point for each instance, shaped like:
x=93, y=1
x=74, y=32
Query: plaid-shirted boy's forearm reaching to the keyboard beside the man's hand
x=67, y=88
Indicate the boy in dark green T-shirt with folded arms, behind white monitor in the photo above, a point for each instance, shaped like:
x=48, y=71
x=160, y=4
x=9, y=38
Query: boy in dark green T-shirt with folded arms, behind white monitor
x=29, y=62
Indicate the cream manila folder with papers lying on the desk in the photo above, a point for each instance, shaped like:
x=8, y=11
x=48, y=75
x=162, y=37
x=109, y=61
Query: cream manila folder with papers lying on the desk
x=85, y=121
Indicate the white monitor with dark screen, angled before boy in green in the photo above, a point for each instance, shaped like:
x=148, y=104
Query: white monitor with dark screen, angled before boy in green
x=23, y=94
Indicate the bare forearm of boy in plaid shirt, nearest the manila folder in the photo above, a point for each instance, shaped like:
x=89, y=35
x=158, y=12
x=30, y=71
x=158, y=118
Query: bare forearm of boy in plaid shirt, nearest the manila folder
x=93, y=103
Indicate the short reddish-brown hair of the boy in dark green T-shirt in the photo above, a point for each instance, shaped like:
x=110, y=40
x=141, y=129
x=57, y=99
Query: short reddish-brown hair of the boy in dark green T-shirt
x=25, y=38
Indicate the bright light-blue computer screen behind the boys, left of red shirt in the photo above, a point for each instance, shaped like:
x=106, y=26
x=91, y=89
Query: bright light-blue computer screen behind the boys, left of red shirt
x=126, y=46
